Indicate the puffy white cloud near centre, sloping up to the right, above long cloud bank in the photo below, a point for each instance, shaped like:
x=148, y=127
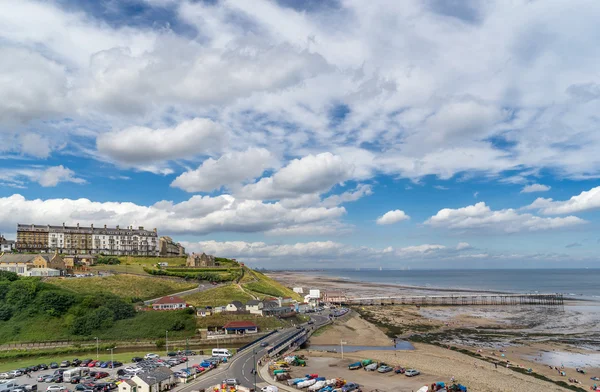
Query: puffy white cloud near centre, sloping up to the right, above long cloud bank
x=310, y=174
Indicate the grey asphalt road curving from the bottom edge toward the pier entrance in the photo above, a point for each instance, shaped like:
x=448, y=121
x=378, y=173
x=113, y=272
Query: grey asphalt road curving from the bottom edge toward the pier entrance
x=241, y=365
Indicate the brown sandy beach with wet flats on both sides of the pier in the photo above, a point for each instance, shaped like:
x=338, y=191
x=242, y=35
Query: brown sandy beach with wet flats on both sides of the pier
x=533, y=337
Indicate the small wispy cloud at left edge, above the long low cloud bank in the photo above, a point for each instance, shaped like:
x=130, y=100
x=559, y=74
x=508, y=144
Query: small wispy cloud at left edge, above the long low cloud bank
x=46, y=177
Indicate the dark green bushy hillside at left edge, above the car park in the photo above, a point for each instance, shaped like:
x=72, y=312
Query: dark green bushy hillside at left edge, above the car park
x=33, y=311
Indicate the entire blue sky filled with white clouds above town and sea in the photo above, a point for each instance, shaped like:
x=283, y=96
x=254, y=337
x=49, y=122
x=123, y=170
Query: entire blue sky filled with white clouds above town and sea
x=310, y=134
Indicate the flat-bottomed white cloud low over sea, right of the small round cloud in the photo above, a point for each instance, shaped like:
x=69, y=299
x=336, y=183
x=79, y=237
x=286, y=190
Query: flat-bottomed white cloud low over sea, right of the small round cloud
x=480, y=217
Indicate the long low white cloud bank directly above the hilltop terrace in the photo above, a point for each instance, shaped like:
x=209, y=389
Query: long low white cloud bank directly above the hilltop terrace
x=198, y=215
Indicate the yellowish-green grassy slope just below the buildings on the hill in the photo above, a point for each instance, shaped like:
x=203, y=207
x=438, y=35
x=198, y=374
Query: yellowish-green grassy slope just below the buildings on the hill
x=125, y=286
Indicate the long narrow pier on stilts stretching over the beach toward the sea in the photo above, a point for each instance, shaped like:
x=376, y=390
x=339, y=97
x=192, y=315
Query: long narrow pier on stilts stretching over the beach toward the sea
x=462, y=300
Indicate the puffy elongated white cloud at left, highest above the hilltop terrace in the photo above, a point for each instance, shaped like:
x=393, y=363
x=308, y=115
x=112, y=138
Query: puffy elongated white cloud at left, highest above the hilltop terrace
x=142, y=145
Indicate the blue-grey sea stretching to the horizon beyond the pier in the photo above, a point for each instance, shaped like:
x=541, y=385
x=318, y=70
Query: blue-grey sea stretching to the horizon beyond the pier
x=572, y=282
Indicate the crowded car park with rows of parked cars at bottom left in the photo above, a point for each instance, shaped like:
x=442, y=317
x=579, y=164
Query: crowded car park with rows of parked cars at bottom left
x=98, y=378
